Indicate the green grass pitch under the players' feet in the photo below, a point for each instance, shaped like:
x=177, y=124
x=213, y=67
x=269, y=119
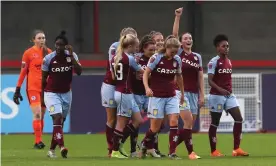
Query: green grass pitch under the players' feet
x=90, y=150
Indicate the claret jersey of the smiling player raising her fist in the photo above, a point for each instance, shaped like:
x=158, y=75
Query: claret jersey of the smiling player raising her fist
x=191, y=65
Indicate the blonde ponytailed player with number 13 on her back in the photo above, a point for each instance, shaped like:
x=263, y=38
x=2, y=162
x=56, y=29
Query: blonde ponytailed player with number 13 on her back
x=122, y=64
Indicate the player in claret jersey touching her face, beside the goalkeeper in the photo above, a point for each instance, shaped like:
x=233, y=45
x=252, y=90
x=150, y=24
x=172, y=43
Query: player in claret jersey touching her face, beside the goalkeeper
x=57, y=74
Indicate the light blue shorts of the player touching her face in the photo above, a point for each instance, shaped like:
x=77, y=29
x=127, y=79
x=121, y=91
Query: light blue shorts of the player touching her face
x=58, y=102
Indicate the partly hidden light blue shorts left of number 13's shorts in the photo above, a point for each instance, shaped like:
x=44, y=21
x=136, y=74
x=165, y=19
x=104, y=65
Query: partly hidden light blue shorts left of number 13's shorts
x=107, y=94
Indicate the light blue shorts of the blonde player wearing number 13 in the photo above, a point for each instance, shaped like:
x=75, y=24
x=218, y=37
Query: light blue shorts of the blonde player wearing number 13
x=126, y=104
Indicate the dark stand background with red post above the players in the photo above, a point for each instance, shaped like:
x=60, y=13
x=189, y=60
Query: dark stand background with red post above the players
x=249, y=25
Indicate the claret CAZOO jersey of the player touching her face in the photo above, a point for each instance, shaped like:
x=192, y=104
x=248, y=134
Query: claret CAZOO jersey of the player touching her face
x=60, y=72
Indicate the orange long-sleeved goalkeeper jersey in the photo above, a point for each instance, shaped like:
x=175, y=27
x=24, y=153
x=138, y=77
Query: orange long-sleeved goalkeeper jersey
x=32, y=61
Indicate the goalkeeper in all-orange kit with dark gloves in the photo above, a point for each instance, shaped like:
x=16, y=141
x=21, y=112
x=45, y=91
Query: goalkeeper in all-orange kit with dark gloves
x=31, y=67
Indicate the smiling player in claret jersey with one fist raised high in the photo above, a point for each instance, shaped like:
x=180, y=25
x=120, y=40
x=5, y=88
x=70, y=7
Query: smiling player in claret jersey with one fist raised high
x=192, y=74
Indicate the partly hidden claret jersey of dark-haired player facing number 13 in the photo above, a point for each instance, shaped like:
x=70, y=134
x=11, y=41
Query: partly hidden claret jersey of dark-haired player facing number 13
x=137, y=82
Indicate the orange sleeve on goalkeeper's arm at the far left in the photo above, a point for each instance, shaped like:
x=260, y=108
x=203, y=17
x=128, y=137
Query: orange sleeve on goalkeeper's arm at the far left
x=24, y=68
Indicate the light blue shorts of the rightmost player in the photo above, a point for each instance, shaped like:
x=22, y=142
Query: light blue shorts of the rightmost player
x=218, y=103
